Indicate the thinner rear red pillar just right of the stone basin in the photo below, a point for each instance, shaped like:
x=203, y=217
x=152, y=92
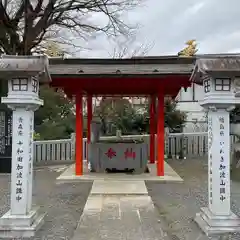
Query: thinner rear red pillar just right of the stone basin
x=152, y=128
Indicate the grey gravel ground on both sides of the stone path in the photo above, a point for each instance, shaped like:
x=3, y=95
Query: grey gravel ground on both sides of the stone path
x=177, y=203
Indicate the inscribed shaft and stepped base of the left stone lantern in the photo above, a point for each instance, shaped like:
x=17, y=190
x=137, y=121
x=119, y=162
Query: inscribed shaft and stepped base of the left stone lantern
x=22, y=217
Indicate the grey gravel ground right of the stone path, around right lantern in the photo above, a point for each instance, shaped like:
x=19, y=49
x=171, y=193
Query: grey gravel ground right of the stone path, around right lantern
x=178, y=203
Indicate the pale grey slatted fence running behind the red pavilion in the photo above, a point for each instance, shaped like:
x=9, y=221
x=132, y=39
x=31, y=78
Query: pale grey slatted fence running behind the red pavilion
x=187, y=145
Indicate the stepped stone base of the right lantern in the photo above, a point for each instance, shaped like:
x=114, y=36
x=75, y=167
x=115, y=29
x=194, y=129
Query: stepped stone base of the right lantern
x=213, y=225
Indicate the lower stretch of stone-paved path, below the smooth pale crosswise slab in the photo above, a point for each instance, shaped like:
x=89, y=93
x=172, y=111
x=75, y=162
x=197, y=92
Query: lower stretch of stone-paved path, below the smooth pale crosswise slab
x=120, y=218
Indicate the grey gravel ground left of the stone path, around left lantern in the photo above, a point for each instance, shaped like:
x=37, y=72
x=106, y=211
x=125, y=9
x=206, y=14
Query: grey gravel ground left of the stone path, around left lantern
x=63, y=203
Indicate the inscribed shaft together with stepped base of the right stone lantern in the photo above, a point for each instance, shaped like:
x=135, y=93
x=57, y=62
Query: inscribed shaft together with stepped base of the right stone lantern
x=217, y=218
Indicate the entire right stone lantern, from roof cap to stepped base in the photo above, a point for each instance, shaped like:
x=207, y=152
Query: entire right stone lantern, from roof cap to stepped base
x=218, y=75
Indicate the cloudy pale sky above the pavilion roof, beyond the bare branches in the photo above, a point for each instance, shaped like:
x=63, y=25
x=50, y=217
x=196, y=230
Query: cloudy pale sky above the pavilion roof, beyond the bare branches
x=166, y=25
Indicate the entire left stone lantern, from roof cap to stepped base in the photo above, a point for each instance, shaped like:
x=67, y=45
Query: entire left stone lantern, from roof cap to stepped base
x=23, y=74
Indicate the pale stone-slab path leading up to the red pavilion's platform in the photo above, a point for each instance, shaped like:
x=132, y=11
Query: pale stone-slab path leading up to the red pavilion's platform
x=119, y=210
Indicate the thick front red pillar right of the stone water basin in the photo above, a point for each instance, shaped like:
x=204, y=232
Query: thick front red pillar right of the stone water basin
x=160, y=135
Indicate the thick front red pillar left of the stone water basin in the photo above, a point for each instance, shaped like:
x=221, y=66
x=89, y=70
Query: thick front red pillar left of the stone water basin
x=79, y=136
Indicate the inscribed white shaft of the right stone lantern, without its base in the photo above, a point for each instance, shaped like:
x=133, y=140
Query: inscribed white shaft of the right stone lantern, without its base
x=219, y=148
